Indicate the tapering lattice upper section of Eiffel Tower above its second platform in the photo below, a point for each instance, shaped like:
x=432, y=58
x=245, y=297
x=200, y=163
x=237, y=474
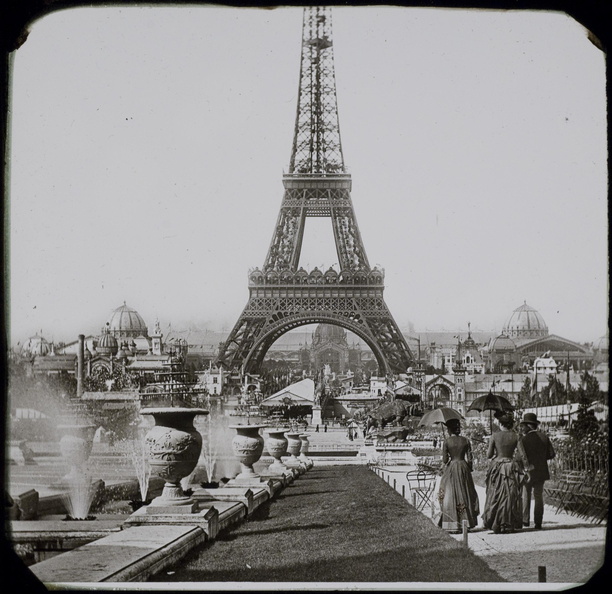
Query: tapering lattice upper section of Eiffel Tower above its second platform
x=316, y=144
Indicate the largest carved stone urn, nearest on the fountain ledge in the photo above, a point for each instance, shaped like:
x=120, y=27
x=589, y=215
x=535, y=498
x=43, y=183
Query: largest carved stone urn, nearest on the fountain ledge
x=173, y=446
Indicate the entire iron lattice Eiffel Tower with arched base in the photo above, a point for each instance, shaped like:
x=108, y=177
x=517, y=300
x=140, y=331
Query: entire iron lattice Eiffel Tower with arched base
x=281, y=296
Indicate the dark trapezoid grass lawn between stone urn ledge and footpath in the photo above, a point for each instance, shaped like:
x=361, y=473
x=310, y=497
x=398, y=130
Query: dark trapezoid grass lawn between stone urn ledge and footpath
x=334, y=524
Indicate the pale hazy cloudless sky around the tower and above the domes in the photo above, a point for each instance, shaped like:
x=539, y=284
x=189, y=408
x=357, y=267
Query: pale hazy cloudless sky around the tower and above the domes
x=148, y=146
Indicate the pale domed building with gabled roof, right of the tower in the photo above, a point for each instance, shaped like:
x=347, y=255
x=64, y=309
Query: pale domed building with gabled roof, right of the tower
x=525, y=337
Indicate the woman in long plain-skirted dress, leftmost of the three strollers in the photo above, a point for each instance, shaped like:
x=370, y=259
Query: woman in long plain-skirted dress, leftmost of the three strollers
x=457, y=494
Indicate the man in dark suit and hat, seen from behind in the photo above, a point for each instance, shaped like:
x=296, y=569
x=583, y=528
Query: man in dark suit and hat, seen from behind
x=538, y=450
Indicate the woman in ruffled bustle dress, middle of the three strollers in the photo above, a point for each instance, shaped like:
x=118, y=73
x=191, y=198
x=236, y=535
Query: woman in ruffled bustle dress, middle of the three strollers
x=503, y=508
